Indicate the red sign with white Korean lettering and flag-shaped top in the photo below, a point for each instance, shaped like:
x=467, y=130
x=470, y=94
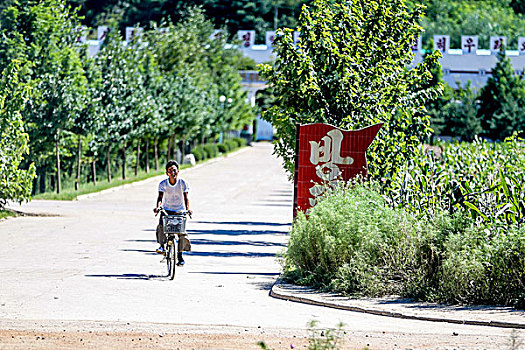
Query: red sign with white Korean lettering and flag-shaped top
x=325, y=154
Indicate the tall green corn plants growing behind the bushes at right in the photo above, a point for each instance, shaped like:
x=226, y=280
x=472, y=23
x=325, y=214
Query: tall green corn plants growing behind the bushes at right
x=480, y=178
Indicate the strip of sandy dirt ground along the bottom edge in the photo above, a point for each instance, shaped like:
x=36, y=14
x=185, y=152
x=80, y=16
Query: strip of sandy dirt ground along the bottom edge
x=238, y=338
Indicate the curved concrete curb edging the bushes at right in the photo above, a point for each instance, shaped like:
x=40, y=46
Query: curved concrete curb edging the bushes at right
x=305, y=295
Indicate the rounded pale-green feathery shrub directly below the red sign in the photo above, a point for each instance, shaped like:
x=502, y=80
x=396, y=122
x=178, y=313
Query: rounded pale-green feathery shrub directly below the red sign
x=353, y=243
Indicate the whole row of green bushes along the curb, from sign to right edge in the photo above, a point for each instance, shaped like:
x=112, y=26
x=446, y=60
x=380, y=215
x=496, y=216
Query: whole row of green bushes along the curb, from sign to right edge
x=352, y=242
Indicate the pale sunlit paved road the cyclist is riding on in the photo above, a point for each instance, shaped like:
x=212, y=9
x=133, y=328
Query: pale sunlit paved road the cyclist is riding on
x=95, y=261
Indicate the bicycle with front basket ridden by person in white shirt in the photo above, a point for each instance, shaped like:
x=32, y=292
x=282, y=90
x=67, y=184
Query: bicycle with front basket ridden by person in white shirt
x=173, y=224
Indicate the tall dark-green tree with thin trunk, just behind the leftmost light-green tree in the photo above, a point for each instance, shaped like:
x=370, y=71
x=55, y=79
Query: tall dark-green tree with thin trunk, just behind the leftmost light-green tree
x=41, y=34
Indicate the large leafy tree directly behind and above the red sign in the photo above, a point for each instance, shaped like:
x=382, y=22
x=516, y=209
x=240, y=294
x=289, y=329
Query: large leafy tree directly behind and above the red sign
x=350, y=69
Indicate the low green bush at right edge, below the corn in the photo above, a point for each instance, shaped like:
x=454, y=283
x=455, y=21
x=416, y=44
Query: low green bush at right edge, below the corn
x=485, y=269
